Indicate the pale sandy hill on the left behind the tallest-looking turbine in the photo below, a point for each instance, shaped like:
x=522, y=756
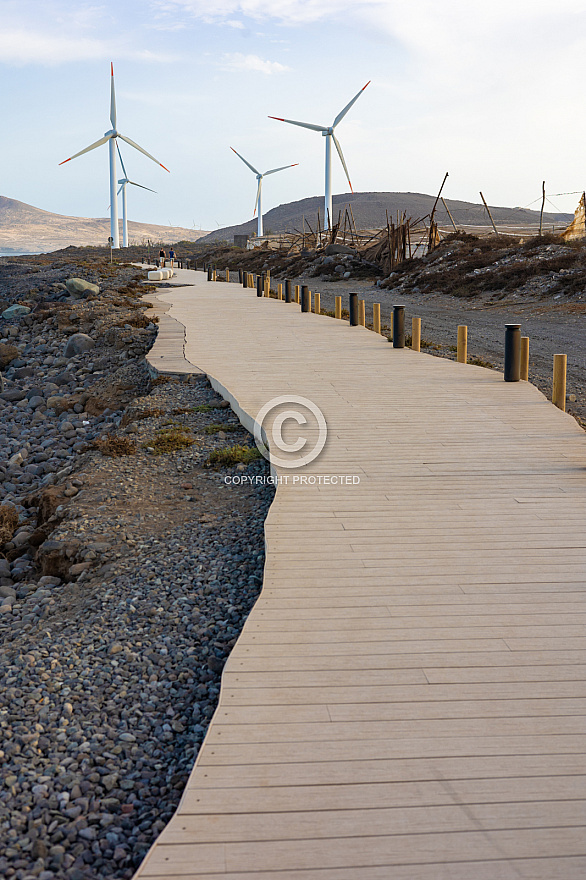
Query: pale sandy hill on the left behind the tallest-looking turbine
x=25, y=229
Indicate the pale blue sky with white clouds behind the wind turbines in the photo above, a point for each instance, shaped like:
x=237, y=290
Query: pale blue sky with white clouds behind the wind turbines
x=490, y=92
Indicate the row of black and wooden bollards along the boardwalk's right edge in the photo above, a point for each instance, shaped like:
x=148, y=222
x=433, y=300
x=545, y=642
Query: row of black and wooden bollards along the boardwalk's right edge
x=516, y=367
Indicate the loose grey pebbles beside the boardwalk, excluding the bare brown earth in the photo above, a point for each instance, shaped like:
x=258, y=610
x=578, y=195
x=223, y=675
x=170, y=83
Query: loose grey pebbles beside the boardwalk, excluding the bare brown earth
x=108, y=685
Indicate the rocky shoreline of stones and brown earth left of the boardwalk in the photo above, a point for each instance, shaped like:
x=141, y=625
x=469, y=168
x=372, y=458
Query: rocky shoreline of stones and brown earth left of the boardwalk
x=127, y=569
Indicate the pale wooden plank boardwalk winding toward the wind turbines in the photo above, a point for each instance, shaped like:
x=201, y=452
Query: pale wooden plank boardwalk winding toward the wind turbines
x=406, y=701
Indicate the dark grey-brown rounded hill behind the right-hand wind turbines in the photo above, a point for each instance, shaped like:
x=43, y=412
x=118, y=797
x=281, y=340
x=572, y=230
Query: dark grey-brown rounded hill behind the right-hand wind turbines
x=370, y=209
